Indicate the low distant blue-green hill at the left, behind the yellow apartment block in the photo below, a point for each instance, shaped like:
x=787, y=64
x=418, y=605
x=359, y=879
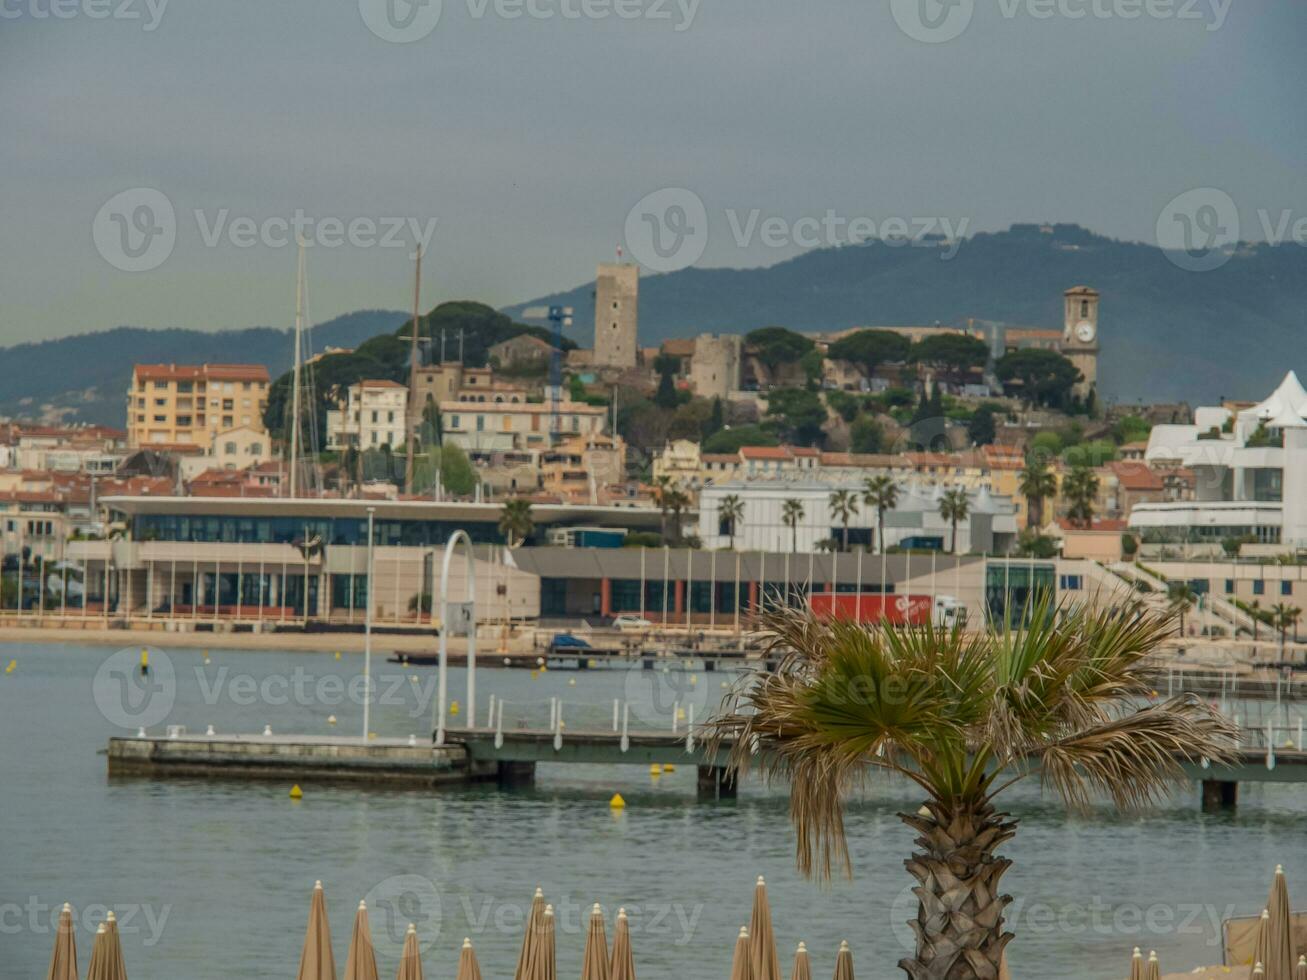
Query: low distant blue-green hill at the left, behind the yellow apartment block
x=84, y=378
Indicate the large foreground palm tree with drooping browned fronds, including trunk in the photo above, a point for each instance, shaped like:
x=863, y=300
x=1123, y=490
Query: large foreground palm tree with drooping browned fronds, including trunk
x=964, y=717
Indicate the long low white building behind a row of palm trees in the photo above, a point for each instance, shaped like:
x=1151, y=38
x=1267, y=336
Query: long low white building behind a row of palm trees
x=990, y=529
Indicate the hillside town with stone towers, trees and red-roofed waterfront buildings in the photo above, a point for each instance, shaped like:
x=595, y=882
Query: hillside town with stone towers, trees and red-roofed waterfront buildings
x=943, y=442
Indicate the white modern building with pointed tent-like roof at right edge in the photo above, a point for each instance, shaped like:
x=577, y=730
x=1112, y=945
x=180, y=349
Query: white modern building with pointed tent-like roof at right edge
x=1250, y=470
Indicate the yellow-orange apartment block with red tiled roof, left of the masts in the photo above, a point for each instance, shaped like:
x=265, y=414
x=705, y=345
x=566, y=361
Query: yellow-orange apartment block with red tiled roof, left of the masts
x=189, y=404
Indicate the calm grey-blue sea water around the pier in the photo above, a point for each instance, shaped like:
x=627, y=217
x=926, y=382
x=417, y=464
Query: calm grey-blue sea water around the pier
x=216, y=876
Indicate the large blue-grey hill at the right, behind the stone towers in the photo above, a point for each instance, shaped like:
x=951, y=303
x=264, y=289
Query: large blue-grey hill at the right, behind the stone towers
x=1166, y=334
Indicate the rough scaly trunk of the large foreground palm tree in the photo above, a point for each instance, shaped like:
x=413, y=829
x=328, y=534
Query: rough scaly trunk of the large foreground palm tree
x=959, y=923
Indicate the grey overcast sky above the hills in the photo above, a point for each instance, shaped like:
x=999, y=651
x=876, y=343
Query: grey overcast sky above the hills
x=529, y=139
